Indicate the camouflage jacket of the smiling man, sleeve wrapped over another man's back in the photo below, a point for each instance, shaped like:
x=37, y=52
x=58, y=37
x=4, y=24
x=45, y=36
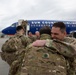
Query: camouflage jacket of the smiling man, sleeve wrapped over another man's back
x=66, y=47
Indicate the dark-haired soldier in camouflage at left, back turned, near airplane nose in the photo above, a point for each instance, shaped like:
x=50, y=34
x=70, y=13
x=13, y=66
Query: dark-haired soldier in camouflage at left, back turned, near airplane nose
x=14, y=45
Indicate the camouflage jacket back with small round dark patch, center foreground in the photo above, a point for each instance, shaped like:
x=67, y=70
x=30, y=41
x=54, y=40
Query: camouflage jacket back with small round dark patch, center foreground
x=42, y=61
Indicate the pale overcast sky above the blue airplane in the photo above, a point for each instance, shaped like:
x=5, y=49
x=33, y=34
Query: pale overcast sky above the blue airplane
x=13, y=10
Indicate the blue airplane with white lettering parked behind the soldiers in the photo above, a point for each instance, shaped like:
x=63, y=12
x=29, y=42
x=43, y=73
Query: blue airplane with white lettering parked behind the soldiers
x=35, y=25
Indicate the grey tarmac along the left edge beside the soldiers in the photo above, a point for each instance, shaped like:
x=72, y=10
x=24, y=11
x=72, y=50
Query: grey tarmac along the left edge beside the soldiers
x=4, y=67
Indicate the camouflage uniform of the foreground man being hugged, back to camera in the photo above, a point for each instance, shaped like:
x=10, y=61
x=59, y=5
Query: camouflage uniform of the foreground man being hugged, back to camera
x=42, y=60
